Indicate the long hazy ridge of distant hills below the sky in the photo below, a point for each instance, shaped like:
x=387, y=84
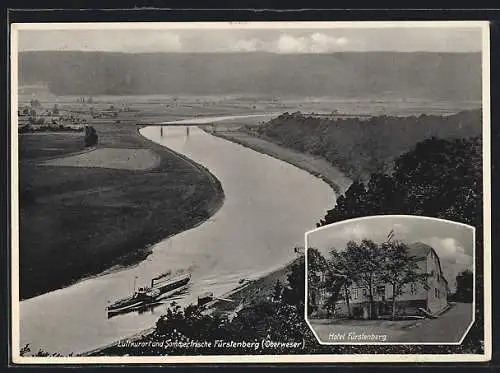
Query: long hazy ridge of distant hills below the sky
x=443, y=76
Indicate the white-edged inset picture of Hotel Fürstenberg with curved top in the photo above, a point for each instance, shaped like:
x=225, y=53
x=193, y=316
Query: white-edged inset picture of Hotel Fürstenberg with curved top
x=392, y=279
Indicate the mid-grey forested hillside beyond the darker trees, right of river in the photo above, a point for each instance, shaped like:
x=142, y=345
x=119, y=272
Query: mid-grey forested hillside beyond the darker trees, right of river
x=362, y=147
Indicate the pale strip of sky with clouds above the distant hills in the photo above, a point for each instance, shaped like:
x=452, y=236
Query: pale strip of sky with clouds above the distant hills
x=275, y=40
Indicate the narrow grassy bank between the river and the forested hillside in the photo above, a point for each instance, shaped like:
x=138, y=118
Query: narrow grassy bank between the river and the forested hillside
x=316, y=166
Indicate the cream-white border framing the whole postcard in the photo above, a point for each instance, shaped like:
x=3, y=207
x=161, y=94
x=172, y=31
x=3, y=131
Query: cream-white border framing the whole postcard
x=323, y=358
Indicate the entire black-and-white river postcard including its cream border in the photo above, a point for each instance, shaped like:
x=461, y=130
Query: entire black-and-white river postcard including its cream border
x=165, y=174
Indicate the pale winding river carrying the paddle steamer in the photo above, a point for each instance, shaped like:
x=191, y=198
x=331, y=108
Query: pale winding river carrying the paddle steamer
x=268, y=206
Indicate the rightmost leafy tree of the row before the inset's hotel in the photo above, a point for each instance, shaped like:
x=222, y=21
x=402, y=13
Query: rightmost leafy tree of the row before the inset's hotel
x=399, y=269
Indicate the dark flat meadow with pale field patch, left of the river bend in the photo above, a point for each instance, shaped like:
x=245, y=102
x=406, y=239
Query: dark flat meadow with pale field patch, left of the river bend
x=114, y=213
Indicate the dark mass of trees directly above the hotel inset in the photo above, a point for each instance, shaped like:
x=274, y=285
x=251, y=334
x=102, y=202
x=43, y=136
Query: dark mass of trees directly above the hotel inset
x=438, y=178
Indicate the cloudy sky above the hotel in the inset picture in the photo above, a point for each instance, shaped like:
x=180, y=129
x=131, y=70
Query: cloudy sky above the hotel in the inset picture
x=452, y=242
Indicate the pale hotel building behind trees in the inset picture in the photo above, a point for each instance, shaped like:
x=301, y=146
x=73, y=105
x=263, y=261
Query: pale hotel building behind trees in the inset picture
x=414, y=295
